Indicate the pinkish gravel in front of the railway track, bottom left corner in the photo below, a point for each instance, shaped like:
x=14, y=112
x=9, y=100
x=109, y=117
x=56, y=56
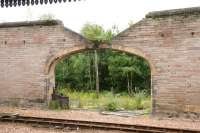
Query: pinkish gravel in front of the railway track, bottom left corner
x=21, y=128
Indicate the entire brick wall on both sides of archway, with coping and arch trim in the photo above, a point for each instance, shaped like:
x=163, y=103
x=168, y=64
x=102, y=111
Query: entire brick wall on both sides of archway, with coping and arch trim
x=168, y=40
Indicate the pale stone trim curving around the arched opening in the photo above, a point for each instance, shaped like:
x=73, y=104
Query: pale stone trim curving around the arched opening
x=51, y=63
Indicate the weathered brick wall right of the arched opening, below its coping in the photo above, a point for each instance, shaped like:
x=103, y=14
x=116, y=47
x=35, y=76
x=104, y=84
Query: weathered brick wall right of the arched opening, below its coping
x=172, y=45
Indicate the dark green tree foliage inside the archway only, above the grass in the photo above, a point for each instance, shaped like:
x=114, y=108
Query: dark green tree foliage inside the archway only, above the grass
x=77, y=71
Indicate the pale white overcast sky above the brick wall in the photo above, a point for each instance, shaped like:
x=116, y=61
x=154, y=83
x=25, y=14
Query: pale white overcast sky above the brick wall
x=103, y=12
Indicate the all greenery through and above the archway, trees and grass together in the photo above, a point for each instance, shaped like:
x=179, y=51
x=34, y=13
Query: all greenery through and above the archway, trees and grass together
x=124, y=79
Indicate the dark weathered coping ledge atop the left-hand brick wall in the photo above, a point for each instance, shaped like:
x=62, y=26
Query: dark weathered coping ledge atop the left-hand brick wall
x=30, y=23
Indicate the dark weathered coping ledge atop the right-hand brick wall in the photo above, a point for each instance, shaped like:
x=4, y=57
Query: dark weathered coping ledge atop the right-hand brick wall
x=174, y=12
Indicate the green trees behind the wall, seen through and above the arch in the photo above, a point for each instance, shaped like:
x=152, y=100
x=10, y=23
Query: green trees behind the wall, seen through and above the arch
x=106, y=69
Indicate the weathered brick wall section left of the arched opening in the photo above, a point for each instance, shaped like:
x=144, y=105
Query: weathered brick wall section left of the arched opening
x=25, y=49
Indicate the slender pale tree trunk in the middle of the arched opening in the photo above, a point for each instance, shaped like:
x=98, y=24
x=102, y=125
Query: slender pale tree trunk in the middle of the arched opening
x=97, y=73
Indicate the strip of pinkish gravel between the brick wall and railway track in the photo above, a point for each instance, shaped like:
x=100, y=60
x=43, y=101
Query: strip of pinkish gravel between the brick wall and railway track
x=96, y=116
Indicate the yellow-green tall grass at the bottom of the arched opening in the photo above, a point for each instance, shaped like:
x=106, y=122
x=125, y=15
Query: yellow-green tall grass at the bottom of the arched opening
x=106, y=100
